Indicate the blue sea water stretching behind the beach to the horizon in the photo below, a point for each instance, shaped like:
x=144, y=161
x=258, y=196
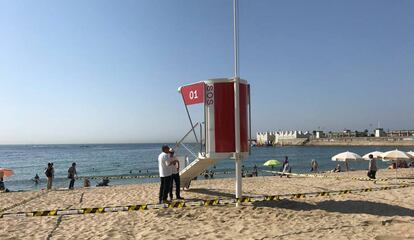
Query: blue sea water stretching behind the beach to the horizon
x=141, y=159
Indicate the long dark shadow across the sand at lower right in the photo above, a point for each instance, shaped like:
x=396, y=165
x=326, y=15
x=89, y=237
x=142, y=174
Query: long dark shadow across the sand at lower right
x=348, y=206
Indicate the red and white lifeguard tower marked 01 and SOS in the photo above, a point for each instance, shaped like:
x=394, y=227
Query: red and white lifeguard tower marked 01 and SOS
x=218, y=98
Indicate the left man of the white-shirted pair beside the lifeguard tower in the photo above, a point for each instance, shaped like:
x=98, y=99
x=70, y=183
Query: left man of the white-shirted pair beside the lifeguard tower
x=164, y=166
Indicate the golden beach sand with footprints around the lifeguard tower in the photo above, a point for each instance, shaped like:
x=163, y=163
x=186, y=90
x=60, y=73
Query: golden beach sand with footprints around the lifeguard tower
x=387, y=214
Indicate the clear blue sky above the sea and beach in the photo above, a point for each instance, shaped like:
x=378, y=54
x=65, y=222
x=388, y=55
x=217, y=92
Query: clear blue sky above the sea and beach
x=108, y=71
